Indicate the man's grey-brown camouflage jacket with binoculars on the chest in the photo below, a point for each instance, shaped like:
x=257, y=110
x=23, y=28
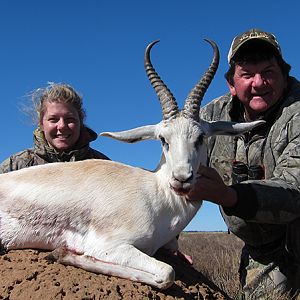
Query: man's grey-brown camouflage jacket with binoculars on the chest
x=265, y=208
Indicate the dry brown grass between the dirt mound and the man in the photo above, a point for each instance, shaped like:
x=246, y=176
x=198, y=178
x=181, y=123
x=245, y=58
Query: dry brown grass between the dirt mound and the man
x=216, y=255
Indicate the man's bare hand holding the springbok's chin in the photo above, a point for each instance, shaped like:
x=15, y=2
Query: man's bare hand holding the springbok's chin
x=210, y=186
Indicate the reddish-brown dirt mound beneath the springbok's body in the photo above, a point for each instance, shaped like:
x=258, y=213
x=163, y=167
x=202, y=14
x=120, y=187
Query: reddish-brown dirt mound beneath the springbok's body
x=26, y=274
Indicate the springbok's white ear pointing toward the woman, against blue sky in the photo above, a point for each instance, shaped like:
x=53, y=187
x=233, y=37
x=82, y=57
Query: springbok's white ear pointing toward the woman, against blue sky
x=133, y=135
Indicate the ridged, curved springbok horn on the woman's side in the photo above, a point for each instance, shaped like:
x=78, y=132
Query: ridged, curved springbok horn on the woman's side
x=166, y=98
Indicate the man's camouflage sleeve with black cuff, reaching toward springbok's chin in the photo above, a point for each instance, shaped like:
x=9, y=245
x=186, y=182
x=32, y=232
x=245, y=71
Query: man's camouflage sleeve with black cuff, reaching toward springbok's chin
x=277, y=197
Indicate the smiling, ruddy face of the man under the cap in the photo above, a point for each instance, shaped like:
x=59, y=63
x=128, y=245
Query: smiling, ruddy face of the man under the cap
x=258, y=86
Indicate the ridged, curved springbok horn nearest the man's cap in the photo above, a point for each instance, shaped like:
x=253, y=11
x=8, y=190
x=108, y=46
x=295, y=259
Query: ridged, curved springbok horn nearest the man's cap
x=192, y=103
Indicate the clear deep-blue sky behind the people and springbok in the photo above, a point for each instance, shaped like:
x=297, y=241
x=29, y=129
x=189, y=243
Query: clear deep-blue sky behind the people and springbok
x=98, y=46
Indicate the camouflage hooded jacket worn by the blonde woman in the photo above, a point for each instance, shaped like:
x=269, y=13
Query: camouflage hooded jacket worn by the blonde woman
x=42, y=153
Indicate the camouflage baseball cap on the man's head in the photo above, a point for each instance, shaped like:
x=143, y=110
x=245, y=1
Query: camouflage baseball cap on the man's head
x=251, y=35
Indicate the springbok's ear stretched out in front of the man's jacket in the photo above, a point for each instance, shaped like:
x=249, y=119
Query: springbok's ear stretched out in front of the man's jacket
x=228, y=128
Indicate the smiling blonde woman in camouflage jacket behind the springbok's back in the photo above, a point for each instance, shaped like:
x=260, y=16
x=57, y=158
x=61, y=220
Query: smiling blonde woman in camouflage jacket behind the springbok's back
x=61, y=135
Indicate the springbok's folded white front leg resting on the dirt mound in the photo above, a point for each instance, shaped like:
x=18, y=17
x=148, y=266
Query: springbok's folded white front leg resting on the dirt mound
x=124, y=261
